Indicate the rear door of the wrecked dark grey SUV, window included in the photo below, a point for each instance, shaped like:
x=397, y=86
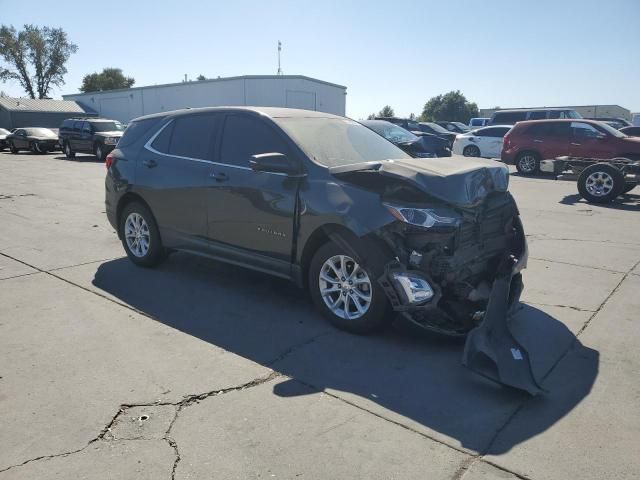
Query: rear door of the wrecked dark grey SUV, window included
x=172, y=174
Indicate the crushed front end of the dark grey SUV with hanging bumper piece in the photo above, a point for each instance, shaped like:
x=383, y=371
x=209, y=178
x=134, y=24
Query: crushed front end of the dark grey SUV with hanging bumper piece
x=459, y=252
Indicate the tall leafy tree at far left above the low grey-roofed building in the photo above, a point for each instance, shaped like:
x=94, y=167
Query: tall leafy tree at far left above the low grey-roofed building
x=35, y=57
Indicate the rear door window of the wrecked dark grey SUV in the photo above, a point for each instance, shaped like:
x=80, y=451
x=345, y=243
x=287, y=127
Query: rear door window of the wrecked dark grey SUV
x=193, y=136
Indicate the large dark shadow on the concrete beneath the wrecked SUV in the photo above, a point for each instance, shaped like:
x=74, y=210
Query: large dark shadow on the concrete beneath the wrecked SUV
x=415, y=380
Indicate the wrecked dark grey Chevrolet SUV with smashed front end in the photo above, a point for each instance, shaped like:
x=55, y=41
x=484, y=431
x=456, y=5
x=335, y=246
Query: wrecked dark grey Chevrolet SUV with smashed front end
x=329, y=204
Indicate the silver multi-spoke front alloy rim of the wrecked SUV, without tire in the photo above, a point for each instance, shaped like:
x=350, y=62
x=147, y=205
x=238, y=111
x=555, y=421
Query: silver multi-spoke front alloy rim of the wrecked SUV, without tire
x=345, y=287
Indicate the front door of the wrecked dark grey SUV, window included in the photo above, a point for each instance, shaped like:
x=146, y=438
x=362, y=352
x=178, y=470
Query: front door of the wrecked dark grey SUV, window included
x=251, y=214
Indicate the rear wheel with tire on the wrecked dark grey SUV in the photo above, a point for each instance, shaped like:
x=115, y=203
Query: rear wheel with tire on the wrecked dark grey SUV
x=131, y=225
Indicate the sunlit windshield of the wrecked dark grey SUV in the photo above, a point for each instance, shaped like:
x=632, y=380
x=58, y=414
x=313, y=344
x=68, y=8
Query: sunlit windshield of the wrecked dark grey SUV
x=338, y=141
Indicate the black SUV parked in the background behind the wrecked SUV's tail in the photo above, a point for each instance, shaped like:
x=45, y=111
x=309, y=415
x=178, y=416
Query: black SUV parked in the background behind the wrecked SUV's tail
x=97, y=136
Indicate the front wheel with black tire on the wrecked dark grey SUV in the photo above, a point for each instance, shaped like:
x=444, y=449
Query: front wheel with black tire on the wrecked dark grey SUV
x=377, y=311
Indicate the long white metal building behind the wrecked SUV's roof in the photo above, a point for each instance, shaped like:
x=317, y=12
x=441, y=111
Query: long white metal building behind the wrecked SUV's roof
x=294, y=91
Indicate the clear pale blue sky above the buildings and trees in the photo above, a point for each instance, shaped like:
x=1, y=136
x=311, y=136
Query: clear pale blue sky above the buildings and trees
x=401, y=53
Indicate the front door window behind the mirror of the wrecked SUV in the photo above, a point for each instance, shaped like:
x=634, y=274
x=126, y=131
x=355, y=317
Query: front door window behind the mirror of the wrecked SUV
x=245, y=136
